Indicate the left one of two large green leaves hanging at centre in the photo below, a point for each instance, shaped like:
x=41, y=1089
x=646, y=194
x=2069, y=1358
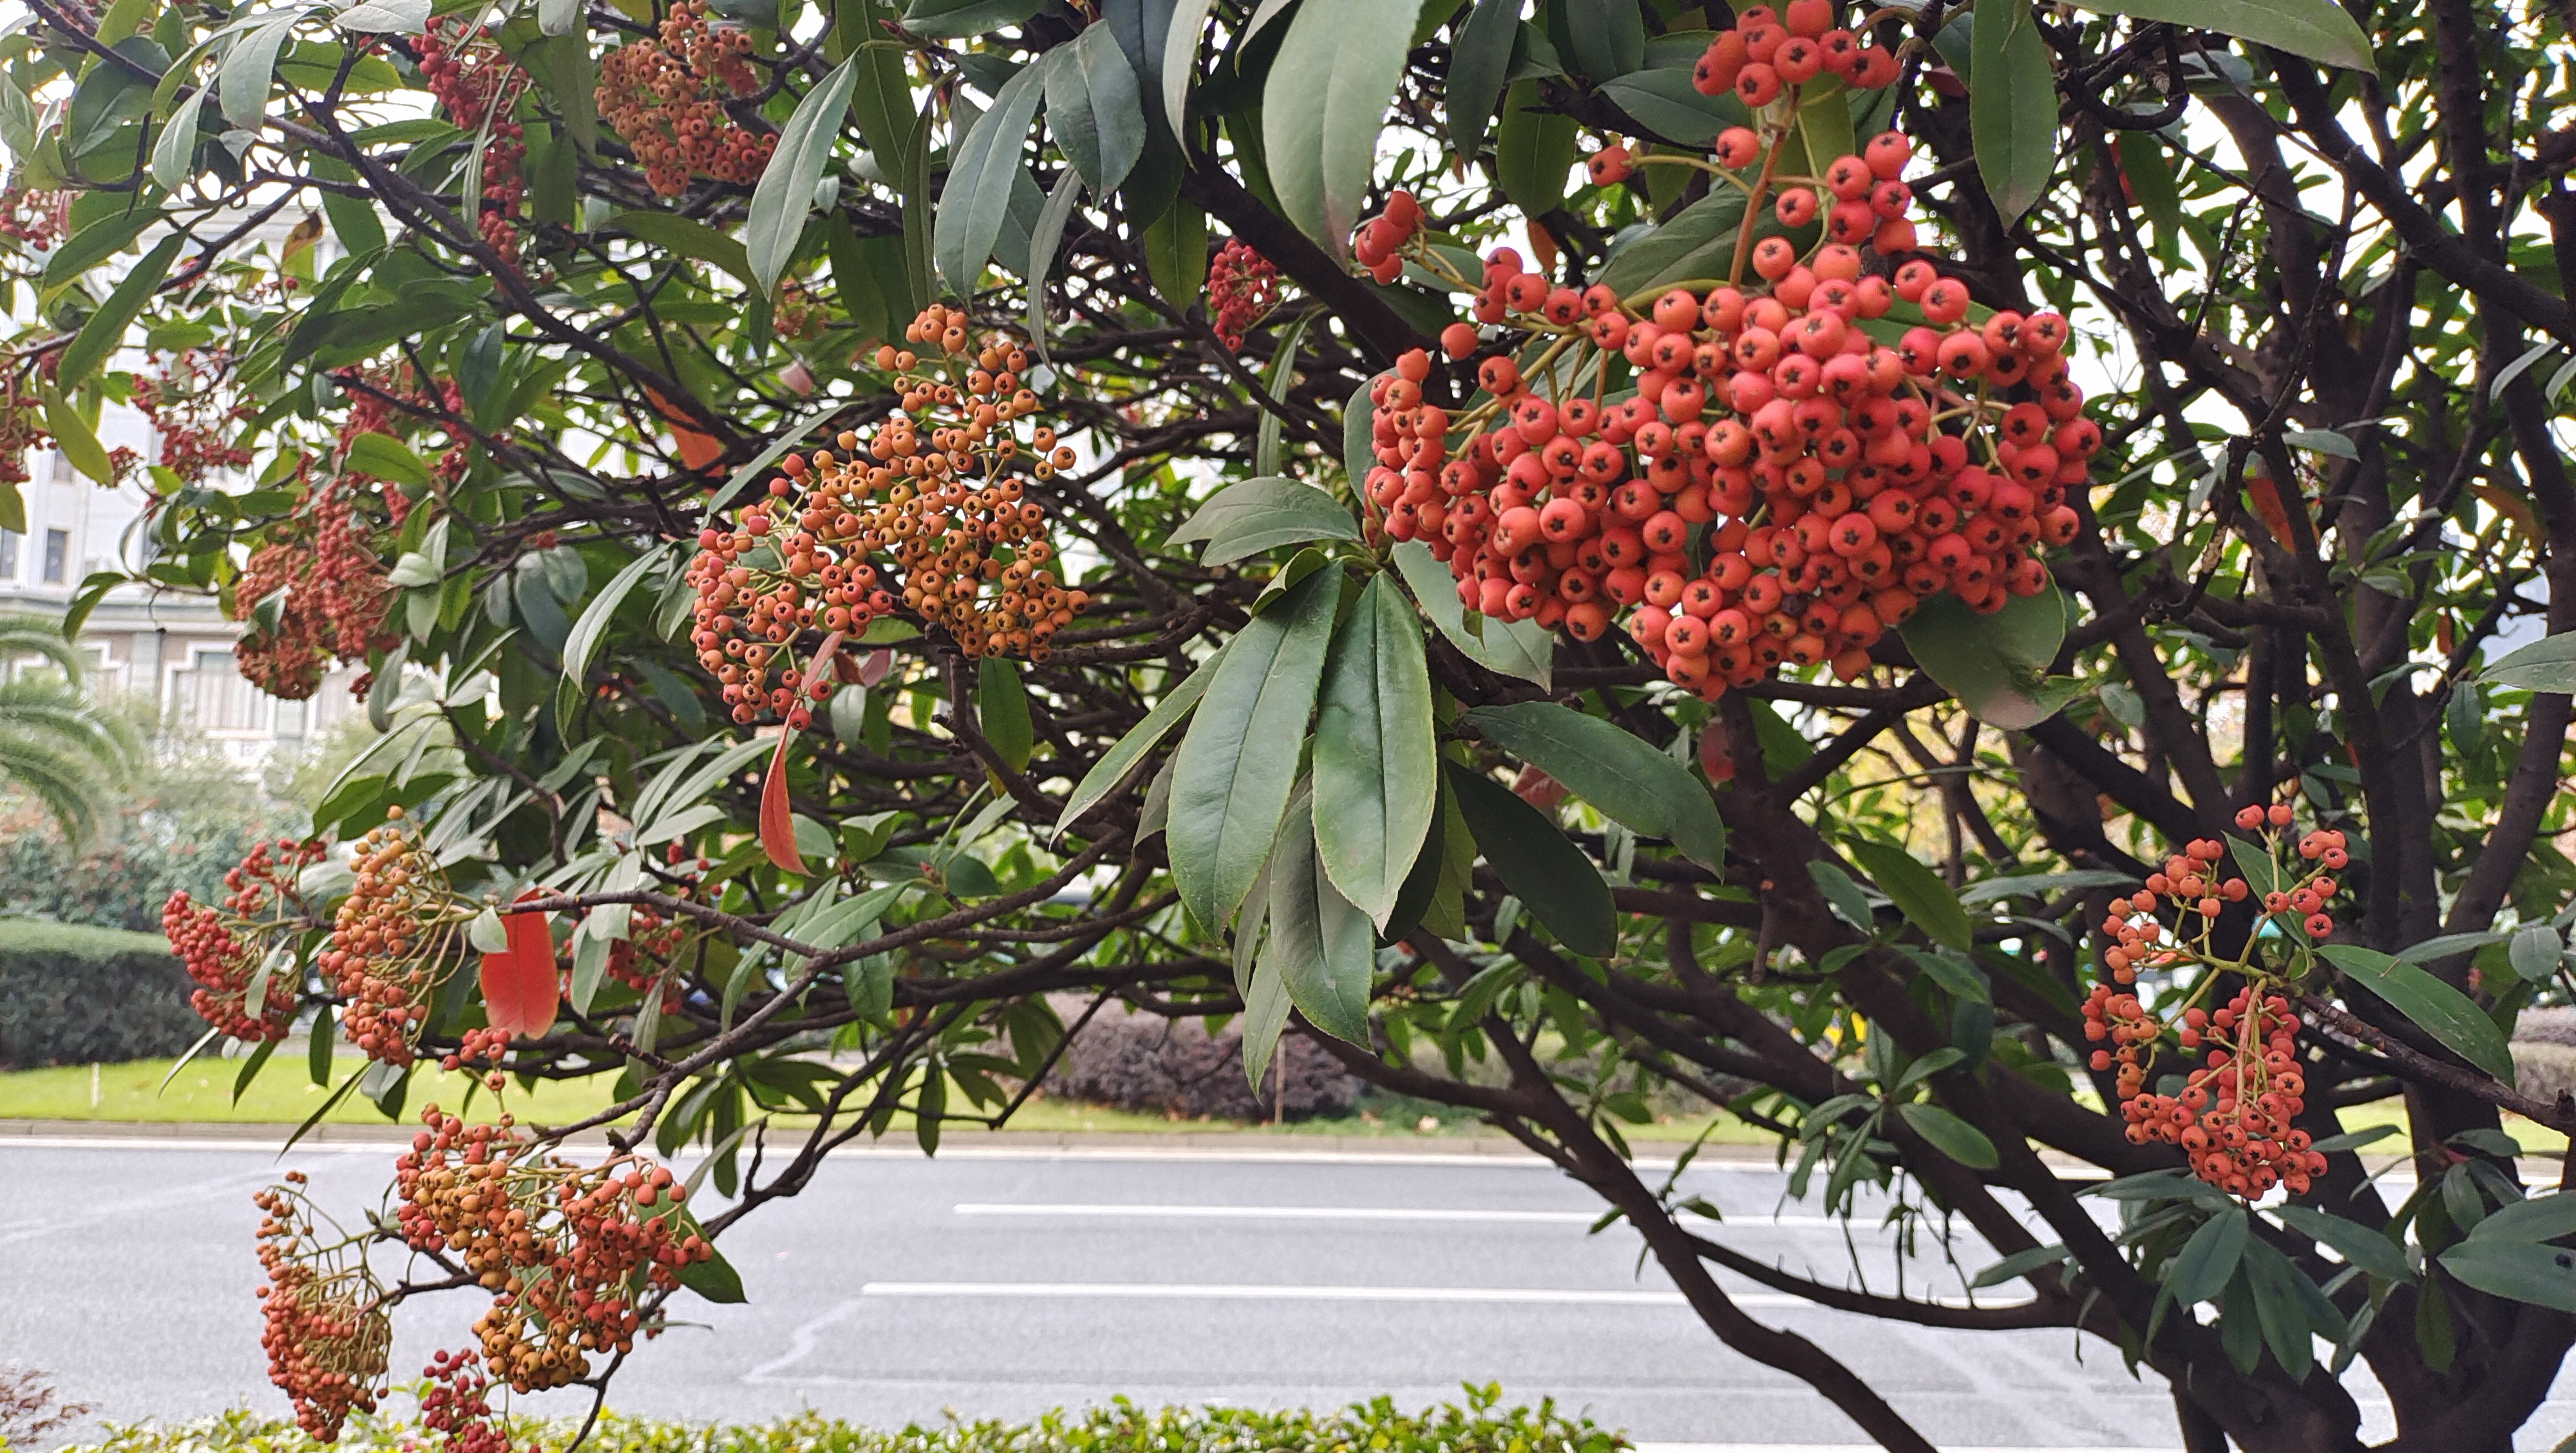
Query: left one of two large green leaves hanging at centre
x=1233, y=774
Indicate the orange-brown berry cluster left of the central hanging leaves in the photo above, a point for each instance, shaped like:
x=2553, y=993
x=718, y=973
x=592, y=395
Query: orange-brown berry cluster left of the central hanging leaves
x=936, y=491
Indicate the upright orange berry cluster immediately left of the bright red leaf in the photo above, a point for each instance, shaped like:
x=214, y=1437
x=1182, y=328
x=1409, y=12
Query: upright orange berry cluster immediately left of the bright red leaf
x=393, y=942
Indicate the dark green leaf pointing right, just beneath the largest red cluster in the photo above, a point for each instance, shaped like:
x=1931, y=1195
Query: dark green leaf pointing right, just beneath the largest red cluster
x=1611, y=769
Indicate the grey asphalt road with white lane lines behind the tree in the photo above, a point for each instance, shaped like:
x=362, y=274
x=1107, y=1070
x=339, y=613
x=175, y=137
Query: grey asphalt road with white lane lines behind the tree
x=1009, y=1284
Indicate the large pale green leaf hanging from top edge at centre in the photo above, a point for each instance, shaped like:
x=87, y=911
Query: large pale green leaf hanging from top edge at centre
x=1328, y=94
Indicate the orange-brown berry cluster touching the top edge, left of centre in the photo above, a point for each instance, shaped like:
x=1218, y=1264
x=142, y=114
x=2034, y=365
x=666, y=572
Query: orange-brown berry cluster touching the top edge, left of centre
x=668, y=102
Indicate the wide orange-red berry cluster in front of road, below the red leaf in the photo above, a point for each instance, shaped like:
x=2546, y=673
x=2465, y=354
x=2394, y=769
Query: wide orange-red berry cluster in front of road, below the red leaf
x=565, y=1248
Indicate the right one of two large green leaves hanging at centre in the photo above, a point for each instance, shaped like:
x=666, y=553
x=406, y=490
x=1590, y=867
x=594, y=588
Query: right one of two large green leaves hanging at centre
x=1377, y=764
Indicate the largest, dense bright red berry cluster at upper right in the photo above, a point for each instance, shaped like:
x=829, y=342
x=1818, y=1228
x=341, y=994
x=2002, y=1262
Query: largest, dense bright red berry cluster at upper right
x=1807, y=455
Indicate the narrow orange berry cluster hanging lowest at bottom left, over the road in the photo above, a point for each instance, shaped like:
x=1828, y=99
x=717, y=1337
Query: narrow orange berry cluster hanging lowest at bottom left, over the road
x=326, y=1328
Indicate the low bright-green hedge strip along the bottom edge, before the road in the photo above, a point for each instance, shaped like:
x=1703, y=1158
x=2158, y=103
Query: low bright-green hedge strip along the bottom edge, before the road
x=1482, y=1426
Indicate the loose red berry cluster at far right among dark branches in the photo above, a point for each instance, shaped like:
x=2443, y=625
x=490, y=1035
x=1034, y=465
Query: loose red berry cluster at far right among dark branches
x=2237, y=1109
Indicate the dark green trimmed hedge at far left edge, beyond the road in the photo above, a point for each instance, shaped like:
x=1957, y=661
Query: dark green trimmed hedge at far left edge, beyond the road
x=89, y=996
